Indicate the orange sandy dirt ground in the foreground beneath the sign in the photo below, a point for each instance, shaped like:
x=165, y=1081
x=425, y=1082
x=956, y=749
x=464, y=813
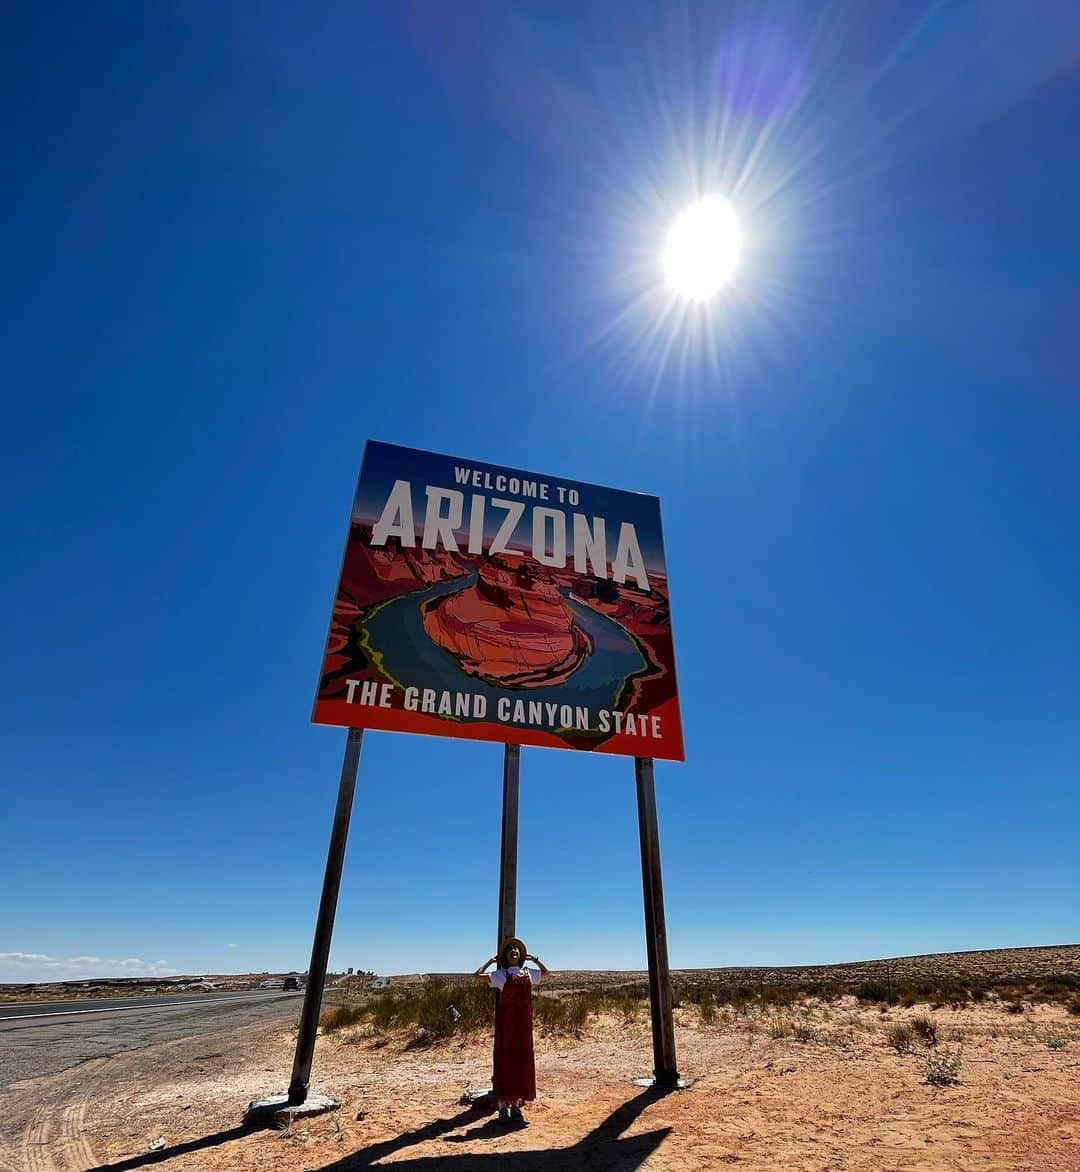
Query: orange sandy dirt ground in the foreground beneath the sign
x=843, y=1099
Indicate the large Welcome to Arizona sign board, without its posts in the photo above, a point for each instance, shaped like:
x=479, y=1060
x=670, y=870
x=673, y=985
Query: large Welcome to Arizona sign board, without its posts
x=493, y=604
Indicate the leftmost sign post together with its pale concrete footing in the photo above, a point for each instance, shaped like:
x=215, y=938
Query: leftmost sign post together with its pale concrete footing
x=298, y=1101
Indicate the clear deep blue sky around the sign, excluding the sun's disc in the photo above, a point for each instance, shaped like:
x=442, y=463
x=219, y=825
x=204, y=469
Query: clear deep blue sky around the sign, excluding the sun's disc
x=243, y=240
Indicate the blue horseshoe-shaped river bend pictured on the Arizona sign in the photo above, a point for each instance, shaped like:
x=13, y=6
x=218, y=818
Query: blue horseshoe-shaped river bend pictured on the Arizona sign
x=399, y=649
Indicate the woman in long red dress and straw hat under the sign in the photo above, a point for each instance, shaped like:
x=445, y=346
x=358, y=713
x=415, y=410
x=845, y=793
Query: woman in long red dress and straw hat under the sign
x=515, y=1065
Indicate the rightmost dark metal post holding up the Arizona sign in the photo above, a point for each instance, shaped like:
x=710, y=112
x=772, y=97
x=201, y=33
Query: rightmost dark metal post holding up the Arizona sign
x=657, y=933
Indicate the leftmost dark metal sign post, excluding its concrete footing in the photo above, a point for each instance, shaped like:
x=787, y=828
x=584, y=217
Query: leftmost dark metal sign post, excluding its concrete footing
x=325, y=925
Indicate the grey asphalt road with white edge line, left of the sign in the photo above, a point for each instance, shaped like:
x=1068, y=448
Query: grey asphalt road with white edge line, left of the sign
x=42, y=1039
